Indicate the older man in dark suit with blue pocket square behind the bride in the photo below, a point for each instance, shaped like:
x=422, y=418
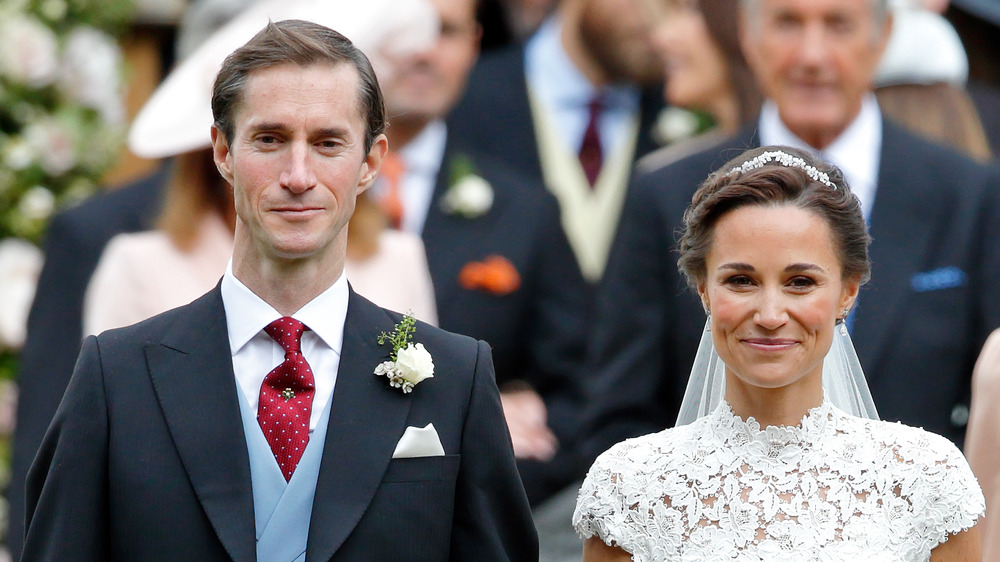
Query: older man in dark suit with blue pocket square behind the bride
x=933, y=216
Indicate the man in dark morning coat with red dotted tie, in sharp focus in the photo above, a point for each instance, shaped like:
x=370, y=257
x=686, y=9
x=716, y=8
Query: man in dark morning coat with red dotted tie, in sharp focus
x=250, y=424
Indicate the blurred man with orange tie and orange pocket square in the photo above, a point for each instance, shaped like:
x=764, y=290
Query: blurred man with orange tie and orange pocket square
x=500, y=263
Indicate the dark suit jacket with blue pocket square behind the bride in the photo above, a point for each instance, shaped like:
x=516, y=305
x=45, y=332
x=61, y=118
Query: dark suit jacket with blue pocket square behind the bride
x=918, y=325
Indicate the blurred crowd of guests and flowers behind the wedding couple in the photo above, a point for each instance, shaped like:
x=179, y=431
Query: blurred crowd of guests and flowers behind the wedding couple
x=511, y=207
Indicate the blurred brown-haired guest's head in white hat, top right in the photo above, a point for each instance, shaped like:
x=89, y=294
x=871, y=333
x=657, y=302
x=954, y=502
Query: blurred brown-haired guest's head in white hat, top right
x=920, y=82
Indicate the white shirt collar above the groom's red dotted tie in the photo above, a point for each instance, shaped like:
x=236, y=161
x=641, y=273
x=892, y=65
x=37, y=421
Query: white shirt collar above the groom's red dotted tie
x=247, y=314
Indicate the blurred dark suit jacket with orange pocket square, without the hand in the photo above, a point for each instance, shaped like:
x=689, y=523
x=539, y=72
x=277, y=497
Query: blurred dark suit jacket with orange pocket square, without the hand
x=537, y=332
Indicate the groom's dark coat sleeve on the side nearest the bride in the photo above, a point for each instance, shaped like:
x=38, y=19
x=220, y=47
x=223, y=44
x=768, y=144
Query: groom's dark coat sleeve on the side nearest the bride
x=492, y=517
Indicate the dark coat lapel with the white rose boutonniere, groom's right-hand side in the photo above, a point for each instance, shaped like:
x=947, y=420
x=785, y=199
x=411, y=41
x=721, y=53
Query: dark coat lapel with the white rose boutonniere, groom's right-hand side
x=367, y=417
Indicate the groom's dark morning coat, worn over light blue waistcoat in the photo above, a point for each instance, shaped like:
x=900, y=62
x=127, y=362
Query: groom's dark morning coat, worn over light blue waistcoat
x=160, y=400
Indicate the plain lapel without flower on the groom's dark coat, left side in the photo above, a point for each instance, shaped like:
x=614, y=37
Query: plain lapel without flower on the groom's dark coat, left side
x=192, y=373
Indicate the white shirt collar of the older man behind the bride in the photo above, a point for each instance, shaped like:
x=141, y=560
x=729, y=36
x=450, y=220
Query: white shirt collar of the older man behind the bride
x=857, y=151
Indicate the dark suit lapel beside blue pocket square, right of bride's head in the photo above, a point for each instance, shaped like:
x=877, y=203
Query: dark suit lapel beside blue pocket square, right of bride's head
x=903, y=221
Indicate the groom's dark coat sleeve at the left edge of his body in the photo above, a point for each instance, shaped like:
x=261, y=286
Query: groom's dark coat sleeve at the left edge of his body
x=67, y=485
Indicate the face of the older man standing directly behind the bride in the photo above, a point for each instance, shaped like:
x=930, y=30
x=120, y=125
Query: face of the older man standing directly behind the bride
x=815, y=59
